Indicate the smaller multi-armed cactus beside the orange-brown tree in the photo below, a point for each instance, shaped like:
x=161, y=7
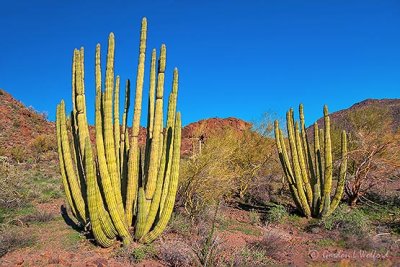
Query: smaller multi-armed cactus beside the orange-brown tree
x=309, y=170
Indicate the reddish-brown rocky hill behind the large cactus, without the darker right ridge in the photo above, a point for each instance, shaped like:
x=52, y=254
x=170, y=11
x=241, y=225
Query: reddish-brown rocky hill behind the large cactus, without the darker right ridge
x=20, y=126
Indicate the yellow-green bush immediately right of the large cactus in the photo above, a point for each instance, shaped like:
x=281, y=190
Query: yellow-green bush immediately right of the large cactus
x=207, y=178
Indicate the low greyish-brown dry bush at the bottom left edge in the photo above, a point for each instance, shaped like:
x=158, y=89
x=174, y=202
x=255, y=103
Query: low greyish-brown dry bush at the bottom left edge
x=11, y=240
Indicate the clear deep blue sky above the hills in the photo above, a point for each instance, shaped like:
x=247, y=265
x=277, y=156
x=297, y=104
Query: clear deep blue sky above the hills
x=236, y=58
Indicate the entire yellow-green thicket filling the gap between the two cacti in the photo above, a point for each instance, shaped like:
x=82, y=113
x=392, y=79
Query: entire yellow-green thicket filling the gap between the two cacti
x=230, y=165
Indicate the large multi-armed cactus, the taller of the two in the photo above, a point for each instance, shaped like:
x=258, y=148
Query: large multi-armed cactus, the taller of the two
x=119, y=185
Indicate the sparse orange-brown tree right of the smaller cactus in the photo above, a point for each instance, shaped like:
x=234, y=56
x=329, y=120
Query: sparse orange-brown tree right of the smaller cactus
x=373, y=150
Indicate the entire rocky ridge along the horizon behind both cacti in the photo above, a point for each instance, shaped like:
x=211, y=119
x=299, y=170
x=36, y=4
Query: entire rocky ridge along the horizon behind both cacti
x=20, y=125
